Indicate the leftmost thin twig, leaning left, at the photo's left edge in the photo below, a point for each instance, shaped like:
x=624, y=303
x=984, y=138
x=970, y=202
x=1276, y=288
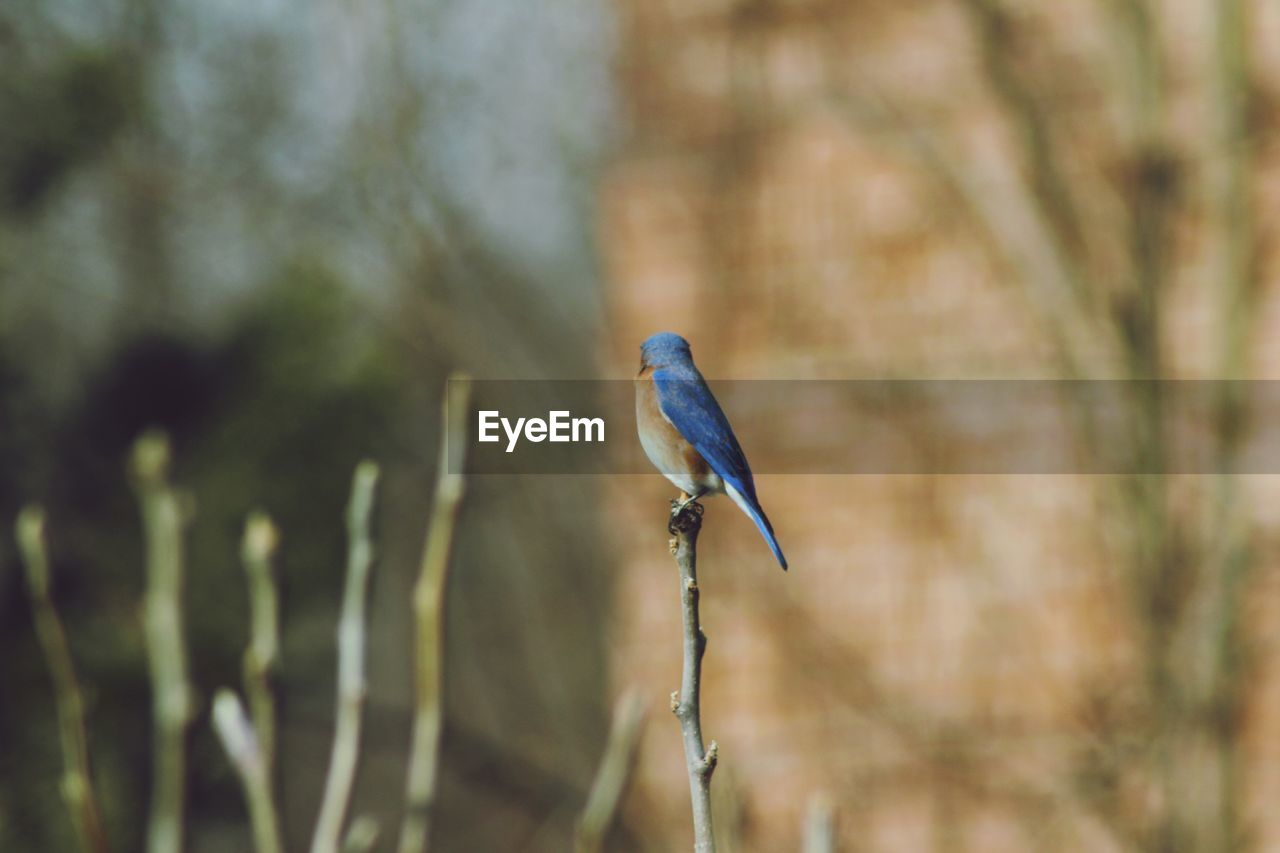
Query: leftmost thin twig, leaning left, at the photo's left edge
x=77, y=778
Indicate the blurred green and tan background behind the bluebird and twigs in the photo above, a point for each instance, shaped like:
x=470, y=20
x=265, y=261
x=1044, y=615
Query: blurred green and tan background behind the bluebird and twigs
x=273, y=230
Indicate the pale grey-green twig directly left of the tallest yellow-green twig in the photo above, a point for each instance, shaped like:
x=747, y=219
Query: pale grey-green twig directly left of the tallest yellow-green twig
x=351, y=663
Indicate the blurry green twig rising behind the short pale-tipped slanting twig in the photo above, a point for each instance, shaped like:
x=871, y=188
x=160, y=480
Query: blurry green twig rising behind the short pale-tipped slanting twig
x=263, y=656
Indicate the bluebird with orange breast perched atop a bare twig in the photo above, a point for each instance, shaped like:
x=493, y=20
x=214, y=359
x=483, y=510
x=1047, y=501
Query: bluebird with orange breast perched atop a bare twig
x=687, y=436
